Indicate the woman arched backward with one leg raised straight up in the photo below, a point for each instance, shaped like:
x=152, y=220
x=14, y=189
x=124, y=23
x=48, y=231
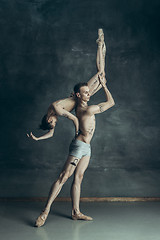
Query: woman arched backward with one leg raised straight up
x=63, y=107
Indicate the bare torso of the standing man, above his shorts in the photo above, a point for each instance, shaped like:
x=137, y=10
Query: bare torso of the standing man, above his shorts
x=86, y=124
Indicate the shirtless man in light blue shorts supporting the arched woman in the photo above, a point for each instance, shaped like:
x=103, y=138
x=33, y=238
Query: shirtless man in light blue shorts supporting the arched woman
x=79, y=152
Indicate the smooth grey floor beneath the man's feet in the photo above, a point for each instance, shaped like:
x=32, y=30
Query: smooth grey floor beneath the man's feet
x=112, y=221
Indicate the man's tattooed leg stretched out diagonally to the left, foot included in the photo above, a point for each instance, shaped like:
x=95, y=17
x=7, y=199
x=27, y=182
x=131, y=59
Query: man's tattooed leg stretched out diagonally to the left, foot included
x=67, y=171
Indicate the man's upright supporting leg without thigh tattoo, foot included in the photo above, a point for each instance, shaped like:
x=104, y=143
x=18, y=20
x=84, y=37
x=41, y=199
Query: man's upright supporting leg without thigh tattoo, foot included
x=76, y=189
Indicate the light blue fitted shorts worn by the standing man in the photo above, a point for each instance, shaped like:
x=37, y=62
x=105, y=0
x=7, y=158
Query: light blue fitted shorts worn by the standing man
x=79, y=149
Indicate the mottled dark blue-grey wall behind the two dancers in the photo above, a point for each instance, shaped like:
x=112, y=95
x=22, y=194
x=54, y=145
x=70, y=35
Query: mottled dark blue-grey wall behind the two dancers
x=46, y=47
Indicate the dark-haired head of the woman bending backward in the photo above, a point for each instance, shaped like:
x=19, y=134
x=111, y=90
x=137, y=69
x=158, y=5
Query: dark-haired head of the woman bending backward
x=48, y=123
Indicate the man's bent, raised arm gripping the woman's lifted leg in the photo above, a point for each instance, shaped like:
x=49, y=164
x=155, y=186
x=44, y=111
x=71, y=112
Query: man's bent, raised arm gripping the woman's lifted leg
x=101, y=107
